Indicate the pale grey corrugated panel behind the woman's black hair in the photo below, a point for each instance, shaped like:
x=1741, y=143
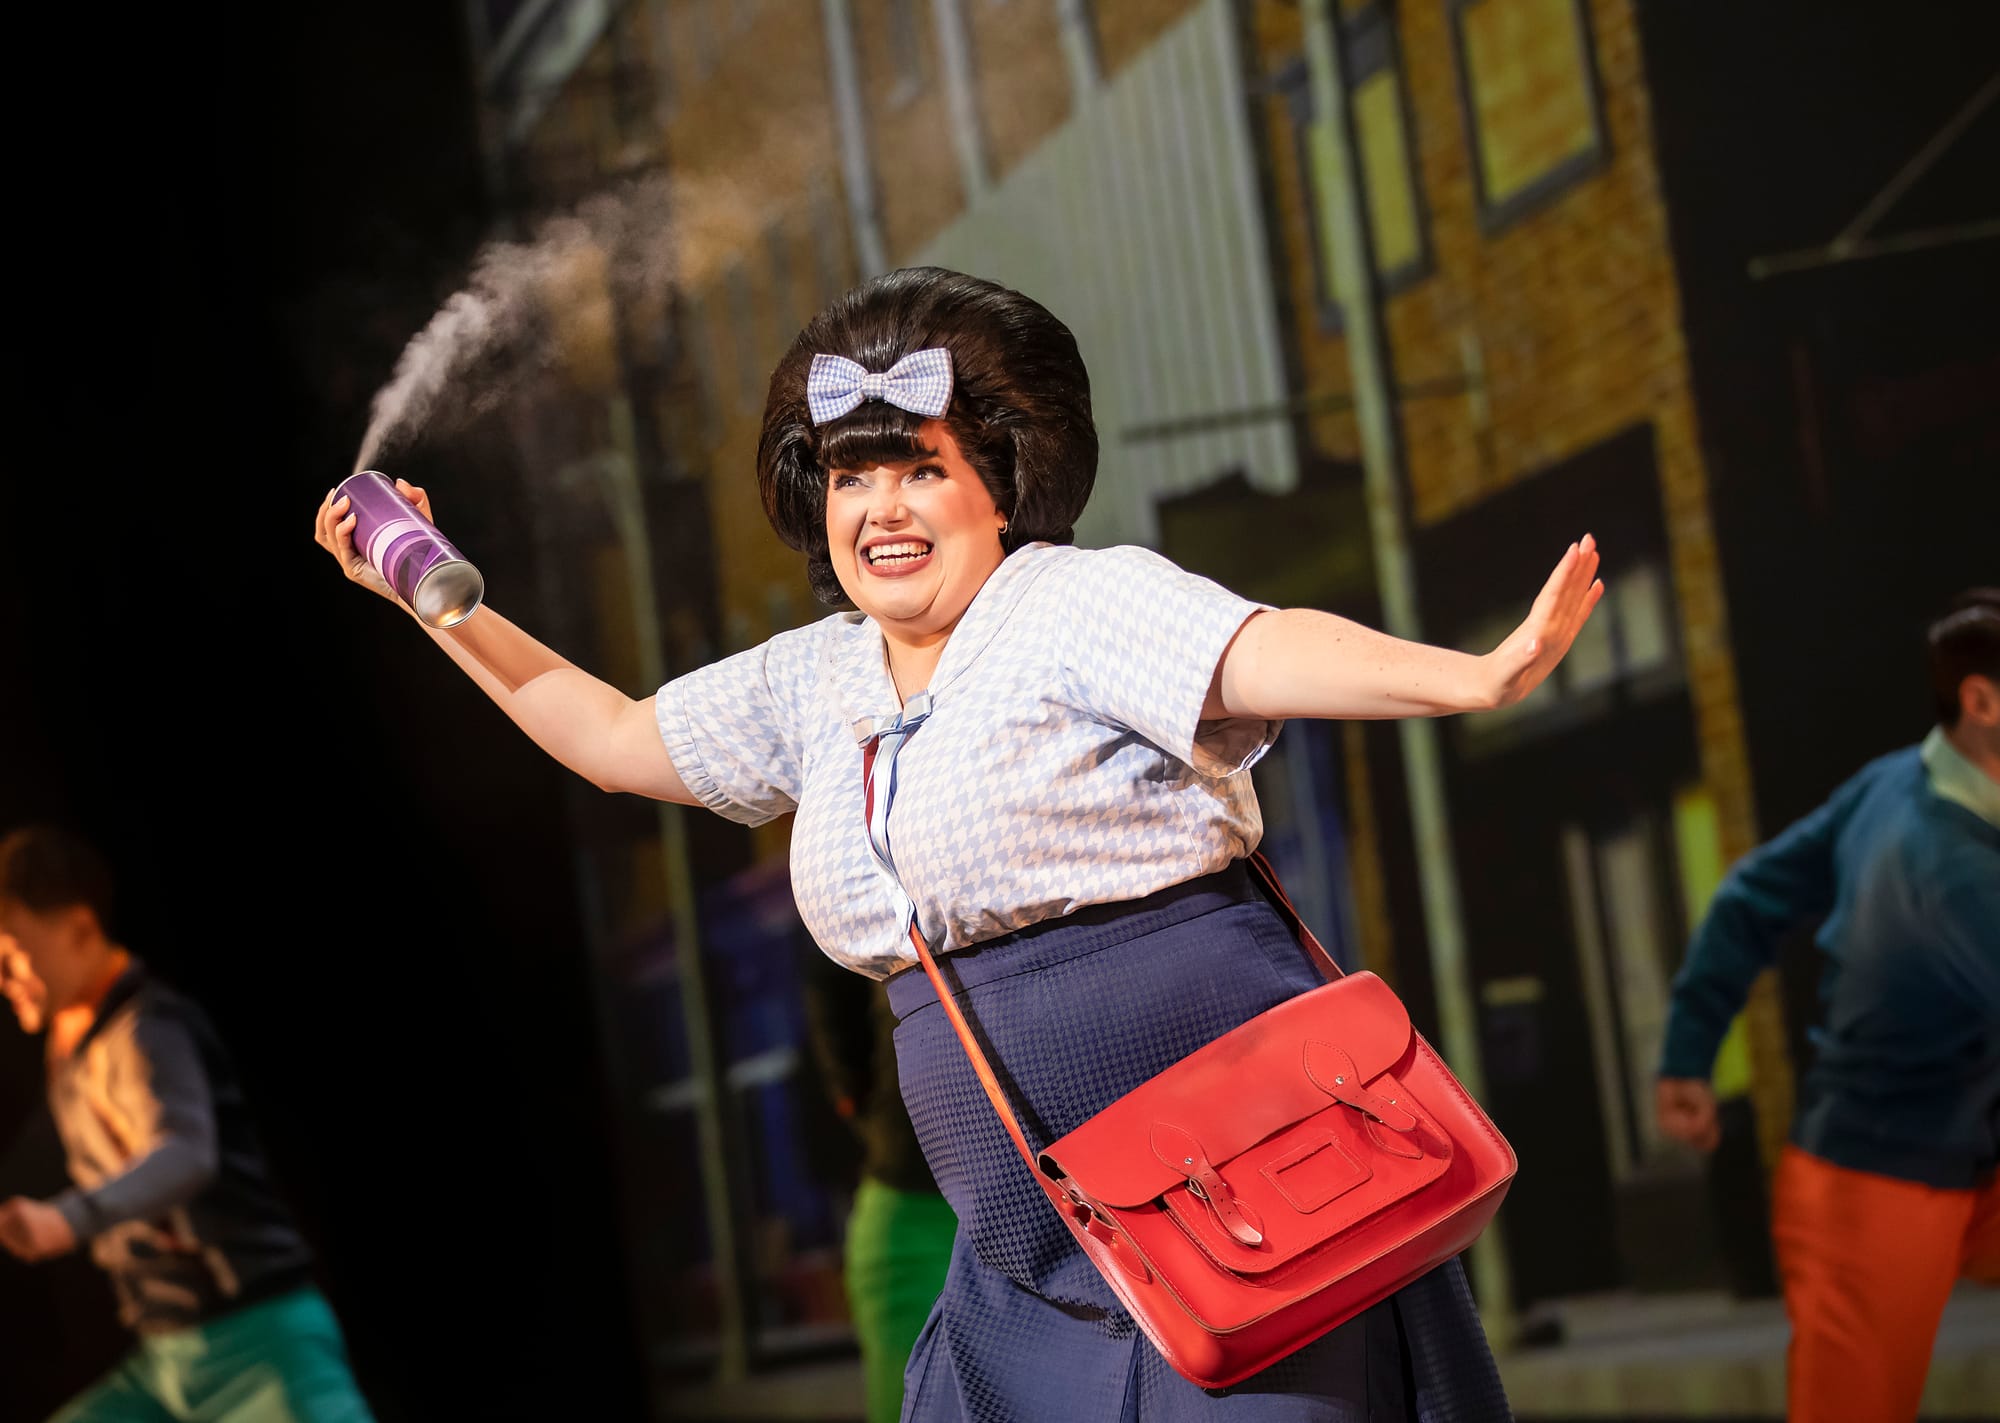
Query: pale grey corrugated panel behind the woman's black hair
x=1139, y=225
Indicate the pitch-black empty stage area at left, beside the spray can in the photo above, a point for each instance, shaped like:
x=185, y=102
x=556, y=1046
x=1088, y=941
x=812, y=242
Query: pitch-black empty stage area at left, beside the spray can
x=321, y=828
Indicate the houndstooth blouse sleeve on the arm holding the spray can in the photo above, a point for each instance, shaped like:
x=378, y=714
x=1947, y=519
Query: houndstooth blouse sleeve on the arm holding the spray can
x=733, y=728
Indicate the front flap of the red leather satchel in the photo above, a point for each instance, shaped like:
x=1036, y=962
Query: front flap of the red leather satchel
x=1235, y=1092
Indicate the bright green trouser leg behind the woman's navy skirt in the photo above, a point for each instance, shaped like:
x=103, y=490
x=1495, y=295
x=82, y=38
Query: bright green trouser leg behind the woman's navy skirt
x=899, y=1246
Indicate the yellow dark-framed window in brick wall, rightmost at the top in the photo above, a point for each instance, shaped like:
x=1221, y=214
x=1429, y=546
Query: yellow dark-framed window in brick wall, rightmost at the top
x=1531, y=99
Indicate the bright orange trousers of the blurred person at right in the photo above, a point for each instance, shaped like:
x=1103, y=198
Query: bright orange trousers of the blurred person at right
x=1867, y=1264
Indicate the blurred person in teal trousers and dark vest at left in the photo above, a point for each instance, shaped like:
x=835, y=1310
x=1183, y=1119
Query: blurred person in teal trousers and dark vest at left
x=171, y=1190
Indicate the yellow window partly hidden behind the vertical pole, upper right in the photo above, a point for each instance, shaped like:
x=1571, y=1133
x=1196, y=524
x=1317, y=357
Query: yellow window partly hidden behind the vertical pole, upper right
x=1381, y=119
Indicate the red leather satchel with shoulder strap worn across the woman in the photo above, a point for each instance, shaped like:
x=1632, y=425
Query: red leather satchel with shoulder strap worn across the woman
x=1277, y=1182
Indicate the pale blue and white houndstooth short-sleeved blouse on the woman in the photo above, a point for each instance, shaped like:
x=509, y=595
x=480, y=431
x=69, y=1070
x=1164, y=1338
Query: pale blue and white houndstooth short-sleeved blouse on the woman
x=1063, y=762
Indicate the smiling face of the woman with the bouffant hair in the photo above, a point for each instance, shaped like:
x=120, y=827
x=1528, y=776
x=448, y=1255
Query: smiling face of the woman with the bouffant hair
x=915, y=541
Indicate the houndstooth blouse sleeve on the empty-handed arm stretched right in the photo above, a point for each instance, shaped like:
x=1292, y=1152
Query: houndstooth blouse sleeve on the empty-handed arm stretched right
x=1141, y=647
